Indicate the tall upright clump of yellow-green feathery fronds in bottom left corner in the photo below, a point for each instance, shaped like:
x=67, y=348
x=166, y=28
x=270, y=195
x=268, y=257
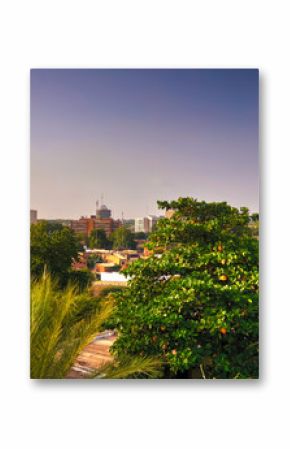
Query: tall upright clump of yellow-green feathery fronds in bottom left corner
x=57, y=337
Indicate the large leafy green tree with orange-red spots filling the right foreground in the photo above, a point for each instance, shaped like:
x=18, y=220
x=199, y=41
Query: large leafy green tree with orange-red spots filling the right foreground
x=194, y=302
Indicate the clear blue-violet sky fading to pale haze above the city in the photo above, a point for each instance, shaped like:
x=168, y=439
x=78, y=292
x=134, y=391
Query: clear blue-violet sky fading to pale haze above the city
x=133, y=137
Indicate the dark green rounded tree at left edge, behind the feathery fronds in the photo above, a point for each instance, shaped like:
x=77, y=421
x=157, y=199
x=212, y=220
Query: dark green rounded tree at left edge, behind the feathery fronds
x=52, y=246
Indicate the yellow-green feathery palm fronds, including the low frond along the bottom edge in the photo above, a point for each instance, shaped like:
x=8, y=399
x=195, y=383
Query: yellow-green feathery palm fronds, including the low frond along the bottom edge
x=63, y=323
